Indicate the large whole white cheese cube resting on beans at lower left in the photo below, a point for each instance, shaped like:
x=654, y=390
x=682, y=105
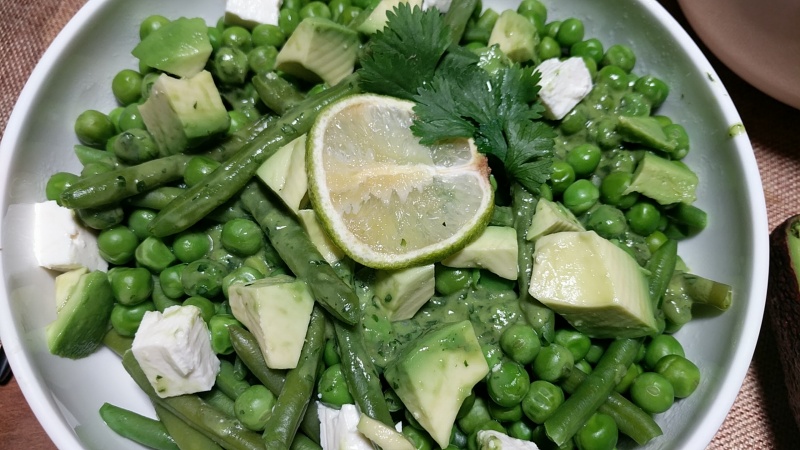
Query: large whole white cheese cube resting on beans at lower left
x=174, y=350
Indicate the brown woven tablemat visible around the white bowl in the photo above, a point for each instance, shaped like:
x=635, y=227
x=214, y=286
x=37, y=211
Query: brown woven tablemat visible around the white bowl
x=760, y=417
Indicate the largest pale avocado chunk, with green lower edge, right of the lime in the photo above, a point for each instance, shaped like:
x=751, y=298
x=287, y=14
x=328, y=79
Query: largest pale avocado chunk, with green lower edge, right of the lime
x=595, y=285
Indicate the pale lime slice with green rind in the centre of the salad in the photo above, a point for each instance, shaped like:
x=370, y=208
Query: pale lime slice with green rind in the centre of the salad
x=388, y=201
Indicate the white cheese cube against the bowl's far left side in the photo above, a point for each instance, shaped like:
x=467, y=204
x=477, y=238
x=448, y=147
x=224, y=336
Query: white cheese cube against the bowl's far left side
x=61, y=242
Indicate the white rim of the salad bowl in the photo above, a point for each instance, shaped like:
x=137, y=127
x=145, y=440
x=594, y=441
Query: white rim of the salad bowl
x=49, y=413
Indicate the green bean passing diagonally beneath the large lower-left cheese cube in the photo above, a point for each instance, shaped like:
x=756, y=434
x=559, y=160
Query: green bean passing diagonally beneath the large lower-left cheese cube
x=227, y=432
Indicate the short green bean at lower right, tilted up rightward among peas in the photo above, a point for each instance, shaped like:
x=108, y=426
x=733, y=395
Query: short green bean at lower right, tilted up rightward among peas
x=592, y=392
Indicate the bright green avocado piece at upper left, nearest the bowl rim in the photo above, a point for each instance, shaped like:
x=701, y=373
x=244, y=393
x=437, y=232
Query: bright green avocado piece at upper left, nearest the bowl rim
x=180, y=47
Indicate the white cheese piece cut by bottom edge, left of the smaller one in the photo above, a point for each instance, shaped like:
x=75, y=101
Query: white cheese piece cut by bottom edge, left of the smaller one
x=339, y=429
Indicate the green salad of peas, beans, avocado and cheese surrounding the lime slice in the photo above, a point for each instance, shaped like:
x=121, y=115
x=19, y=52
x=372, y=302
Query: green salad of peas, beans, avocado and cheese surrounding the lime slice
x=552, y=329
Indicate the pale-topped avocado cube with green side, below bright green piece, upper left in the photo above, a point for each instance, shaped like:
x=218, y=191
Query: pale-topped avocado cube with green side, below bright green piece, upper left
x=183, y=113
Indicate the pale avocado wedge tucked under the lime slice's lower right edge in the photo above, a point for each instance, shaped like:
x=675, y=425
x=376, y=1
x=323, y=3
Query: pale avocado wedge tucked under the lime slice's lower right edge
x=494, y=250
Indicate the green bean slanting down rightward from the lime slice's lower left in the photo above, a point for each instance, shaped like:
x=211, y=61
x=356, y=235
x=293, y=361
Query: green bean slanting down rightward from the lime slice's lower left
x=301, y=255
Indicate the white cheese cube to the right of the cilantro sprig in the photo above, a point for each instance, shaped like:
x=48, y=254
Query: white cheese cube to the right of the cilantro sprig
x=563, y=85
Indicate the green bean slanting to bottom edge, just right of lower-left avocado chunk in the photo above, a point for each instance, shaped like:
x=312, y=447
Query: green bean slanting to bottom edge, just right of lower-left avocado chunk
x=298, y=389
